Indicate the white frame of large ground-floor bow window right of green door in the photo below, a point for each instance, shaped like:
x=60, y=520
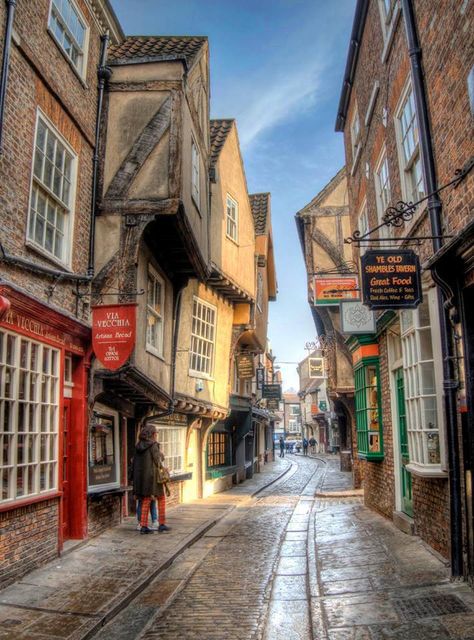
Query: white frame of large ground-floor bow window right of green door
x=415, y=397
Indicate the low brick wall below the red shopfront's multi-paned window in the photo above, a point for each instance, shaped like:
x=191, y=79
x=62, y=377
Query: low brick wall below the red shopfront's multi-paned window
x=28, y=539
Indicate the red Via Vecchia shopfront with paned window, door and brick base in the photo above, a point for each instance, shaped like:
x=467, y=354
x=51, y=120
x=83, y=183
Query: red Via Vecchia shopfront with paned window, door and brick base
x=44, y=357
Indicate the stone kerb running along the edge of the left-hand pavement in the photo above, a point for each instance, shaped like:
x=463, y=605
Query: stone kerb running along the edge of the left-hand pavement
x=123, y=600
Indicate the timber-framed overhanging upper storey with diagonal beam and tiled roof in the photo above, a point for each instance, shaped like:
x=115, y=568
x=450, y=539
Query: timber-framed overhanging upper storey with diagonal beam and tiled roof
x=154, y=173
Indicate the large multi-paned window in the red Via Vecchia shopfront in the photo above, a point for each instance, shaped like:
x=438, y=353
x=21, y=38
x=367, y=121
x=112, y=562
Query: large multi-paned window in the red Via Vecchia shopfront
x=29, y=415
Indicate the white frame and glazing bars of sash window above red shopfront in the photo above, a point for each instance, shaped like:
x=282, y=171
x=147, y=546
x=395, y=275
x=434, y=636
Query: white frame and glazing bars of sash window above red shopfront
x=39, y=187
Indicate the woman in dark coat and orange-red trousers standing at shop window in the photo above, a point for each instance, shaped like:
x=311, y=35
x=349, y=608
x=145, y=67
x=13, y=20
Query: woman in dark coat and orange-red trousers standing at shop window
x=146, y=473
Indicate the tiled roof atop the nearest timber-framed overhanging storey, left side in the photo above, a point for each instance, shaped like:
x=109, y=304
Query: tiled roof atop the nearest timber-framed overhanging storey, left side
x=157, y=48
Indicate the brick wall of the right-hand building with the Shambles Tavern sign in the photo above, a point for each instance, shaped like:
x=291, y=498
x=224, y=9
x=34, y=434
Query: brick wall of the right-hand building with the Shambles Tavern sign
x=448, y=53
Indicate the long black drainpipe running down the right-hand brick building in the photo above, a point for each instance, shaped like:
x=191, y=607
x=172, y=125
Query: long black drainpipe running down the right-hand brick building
x=434, y=209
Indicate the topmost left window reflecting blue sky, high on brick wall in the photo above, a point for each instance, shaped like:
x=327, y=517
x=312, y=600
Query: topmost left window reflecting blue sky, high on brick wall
x=69, y=29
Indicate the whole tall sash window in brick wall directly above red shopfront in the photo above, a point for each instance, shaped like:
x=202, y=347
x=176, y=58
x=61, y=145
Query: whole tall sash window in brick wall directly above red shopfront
x=51, y=199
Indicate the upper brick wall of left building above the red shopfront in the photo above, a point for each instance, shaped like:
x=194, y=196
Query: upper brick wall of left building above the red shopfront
x=41, y=78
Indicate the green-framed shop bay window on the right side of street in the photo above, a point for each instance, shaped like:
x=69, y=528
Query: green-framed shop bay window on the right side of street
x=368, y=411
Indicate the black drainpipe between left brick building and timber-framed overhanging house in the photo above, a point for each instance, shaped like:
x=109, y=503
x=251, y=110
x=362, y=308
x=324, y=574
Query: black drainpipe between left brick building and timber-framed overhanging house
x=103, y=75
